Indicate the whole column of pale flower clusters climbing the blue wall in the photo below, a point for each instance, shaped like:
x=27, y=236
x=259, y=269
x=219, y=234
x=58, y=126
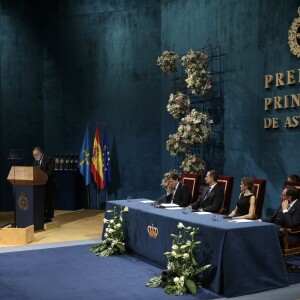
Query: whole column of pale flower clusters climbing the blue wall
x=194, y=127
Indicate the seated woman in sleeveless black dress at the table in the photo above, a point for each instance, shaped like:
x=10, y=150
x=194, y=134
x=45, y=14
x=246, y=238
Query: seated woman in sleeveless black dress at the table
x=245, y=207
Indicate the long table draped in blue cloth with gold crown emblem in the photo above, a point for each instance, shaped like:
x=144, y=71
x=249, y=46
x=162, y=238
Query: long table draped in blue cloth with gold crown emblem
x=245, y=258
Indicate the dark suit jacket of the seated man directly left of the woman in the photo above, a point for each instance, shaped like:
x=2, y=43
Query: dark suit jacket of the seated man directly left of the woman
x=213, y=201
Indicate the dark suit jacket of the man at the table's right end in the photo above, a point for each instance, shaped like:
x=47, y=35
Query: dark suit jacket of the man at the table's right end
x=289, y=219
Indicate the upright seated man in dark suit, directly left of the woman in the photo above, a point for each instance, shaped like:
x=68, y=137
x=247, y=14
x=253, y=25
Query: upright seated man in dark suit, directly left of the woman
x=211, y=199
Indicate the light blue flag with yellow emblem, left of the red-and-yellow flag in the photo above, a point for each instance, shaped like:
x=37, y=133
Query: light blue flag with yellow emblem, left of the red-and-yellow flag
x=84, y=162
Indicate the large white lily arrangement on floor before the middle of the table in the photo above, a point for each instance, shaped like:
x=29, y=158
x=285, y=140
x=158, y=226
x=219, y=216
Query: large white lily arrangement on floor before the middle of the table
x=182, y=274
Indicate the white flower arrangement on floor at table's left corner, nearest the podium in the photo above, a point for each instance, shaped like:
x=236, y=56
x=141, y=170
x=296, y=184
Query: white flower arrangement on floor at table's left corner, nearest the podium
x=114, y=242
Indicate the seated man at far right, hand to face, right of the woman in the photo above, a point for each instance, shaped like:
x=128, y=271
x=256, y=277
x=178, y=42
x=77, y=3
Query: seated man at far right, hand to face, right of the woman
x=288, y=214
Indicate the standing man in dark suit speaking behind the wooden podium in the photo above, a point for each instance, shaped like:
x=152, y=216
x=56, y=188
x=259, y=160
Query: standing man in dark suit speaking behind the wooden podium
x=46, y=164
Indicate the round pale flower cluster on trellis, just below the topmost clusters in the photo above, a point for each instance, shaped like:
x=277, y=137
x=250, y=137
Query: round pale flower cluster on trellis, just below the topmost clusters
x=178, y=105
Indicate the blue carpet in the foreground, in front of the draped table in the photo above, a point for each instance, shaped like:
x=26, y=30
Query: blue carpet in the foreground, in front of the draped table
x=77, y=273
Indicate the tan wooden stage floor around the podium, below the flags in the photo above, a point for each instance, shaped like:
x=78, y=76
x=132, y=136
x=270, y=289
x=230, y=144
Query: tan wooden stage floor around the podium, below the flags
x=76, y=225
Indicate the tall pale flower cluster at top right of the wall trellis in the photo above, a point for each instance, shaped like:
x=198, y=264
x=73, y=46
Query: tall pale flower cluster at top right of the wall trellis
x=198, y=80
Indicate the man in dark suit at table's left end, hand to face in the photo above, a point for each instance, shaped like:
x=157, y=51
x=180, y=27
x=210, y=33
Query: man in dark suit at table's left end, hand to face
x=177, y=192
